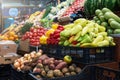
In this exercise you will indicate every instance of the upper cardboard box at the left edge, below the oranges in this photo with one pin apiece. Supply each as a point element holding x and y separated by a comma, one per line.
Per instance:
<point>7,47</point>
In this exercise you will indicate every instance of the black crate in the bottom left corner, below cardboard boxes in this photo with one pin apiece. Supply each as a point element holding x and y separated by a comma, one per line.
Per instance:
<point>5,72</point>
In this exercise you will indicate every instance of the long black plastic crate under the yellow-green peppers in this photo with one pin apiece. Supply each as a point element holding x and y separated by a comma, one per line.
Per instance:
<point>82,55</point>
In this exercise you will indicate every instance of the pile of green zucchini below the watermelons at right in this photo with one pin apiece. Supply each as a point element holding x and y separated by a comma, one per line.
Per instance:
<point>108,19</point>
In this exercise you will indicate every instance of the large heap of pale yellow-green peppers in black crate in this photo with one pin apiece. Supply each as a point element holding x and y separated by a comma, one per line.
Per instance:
<point>85,33</point>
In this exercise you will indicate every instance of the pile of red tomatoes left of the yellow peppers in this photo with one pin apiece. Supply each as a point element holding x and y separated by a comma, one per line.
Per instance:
<point>34,35</point>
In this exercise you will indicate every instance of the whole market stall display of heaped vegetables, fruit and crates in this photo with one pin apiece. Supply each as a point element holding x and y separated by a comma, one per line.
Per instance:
<point>74,40</point>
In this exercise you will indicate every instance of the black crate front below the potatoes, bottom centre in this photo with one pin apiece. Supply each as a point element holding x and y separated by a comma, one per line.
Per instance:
<point>83,75</point>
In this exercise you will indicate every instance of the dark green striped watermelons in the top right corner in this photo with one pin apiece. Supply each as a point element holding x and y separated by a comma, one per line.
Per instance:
<point>91,5</point>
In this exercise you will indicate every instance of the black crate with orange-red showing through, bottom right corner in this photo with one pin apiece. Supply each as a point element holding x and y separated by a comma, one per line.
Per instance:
<point>102,73</point>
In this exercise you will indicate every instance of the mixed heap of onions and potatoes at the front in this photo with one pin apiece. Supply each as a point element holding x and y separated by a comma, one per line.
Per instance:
<point>44,66</point>
